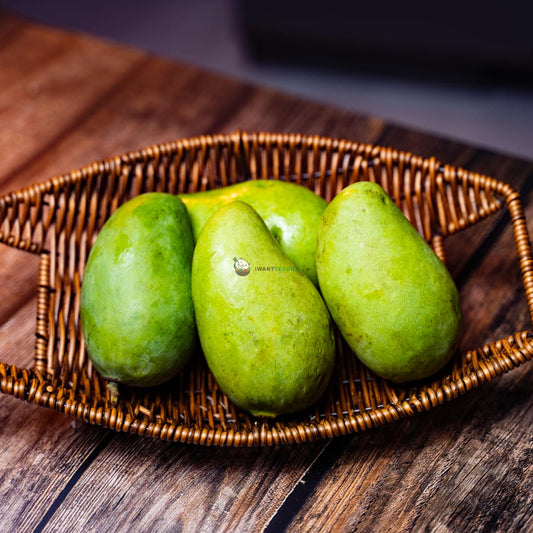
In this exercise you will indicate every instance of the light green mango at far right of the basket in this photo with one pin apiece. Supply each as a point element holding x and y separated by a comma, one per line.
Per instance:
<point>393,299</point>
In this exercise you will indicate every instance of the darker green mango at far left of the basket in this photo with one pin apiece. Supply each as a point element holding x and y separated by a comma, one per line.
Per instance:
<point>136,303</point>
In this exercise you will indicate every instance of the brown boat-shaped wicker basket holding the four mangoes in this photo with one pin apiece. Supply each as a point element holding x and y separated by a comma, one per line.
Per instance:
<point>60,219</point>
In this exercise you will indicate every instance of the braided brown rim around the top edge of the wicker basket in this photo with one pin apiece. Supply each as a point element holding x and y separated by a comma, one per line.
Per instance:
<point>32,385</point>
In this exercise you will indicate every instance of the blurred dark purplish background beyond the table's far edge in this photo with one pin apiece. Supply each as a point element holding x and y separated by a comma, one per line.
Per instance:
<point>455,69</point>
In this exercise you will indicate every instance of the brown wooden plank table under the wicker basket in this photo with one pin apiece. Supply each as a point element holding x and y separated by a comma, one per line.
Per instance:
<point>66,100</point>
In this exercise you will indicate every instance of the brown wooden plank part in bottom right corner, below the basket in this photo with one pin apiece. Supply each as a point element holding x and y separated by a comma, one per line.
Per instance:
<point>462,467</point>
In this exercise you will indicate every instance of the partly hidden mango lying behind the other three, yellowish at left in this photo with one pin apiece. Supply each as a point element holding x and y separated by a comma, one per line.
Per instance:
<point>291,212</point>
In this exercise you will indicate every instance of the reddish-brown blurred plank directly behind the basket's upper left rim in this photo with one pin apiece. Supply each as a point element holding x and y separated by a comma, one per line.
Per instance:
<point>160,103</point>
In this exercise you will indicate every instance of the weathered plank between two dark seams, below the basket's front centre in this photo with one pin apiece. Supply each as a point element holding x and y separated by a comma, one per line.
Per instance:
<point>168,487</point>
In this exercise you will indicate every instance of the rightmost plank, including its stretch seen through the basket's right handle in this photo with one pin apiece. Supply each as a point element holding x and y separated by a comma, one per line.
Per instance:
<point>464,469</point>
